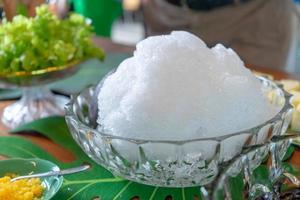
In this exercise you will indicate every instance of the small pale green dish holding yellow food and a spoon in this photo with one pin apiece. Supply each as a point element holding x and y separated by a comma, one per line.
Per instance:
<point>28,166</point>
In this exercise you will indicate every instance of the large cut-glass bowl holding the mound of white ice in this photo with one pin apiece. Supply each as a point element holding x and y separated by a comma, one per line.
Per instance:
<point>181,163</point>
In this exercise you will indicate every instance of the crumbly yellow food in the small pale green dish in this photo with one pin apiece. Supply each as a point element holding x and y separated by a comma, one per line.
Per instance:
<point>24,189</point>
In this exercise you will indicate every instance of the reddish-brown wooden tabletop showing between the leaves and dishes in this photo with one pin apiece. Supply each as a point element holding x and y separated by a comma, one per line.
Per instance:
<point>108,46</point>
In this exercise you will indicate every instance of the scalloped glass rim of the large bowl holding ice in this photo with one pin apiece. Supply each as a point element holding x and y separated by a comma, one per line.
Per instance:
<point>287,105</point>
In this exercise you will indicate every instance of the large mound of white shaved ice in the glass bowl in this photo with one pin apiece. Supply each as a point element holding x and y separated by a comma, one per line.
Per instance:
<point>176,88</point>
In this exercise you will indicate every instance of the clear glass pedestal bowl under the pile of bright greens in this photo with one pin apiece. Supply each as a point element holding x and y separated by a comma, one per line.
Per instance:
<point>37,100</point>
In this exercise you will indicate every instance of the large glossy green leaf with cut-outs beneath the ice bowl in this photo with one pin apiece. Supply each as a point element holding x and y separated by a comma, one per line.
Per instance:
<point>98,182</point>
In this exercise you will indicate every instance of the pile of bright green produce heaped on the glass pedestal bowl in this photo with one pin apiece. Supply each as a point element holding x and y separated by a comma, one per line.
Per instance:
<point>28,44</point>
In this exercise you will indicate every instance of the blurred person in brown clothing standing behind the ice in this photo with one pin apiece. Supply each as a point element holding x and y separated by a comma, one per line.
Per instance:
<point>258,30</point>
